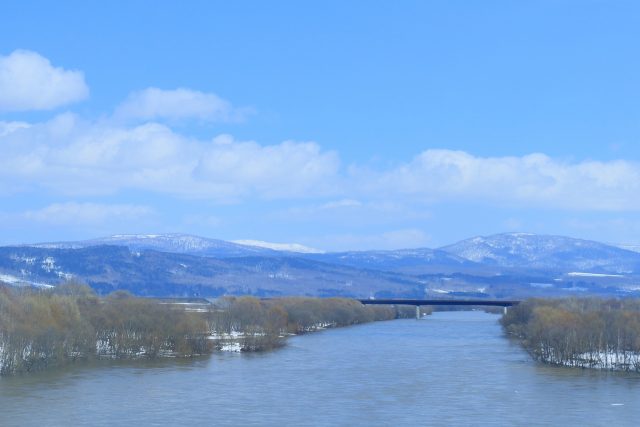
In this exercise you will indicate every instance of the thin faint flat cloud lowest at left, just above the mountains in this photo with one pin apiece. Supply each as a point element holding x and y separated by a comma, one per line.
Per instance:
<point>72,213</point>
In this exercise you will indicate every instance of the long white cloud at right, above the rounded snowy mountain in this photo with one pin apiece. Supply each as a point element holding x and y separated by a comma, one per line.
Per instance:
<point>532,180</point>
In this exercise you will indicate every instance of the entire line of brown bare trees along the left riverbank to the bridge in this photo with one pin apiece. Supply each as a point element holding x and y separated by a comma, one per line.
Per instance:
<point>42,328</point>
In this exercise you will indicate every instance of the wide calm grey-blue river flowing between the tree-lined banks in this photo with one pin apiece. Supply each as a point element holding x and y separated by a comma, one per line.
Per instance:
<point>451,368</point>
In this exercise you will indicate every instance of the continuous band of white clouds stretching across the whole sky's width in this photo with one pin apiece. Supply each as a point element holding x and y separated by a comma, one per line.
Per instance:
<point>70,156</point>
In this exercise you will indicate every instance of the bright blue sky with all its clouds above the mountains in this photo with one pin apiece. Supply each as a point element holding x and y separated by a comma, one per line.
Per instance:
<point>337,125</point>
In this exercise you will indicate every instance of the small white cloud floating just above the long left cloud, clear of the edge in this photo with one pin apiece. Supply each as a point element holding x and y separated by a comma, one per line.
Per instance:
<point>178,104</point>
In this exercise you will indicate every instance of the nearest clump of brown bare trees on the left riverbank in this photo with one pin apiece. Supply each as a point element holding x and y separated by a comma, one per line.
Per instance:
<point>43,328</point>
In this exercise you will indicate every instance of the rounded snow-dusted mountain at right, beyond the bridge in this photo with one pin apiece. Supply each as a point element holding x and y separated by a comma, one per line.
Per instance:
<point>542,252</point>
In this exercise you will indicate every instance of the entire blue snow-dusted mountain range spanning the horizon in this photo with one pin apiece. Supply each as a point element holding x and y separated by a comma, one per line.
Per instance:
<point>502,265</point>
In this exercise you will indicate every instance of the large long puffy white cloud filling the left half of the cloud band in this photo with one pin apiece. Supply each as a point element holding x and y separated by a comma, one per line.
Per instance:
<point>72,157</point>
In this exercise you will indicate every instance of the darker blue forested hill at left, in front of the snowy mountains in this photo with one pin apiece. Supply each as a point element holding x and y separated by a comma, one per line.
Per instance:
<point>108,268</point>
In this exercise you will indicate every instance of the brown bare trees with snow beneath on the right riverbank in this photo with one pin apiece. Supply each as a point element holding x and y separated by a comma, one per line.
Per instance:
<point>580,332</point>
